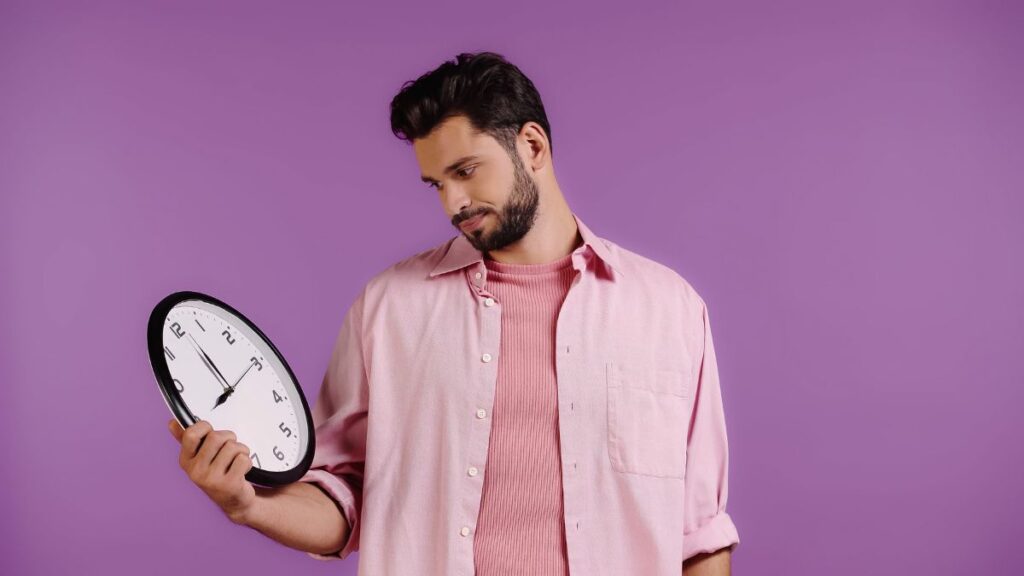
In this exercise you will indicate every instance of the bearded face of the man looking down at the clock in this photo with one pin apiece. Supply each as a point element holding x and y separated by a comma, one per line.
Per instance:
<point>482,180</point>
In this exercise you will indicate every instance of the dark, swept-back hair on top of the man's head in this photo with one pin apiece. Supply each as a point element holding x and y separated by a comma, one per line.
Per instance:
<point>494,95</point>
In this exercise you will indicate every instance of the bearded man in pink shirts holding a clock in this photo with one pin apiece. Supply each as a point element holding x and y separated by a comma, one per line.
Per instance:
<point>526,398</point>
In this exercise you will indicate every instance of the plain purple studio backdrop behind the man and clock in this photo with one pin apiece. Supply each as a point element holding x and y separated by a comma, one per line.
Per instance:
<point>843,186</point>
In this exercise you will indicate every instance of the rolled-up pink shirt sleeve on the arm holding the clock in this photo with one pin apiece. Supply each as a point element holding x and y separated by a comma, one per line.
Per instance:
<point>340,423</point>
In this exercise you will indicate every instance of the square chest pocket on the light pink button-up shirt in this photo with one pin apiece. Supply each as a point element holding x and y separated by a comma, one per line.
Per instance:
<point>648,417</point>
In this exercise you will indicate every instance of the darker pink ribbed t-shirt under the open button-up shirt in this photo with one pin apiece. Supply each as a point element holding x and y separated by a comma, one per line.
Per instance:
<point>521,529</point>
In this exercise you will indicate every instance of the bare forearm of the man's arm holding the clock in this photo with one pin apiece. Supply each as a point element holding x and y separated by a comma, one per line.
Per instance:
<point>300,516</point>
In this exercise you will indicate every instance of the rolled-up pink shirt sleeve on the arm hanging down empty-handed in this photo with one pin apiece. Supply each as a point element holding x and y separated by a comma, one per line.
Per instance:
<point>707,527</point>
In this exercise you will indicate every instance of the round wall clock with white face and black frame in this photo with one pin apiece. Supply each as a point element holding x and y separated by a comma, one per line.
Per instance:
<point>221,368</point>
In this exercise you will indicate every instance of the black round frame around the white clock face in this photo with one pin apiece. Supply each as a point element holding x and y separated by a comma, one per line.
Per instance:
<point>181,410</point>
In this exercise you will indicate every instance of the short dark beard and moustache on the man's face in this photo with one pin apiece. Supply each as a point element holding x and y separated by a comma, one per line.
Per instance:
<point>516,219</point>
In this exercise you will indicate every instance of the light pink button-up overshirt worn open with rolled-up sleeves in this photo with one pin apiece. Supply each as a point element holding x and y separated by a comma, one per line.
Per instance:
<point>405,410</point>
